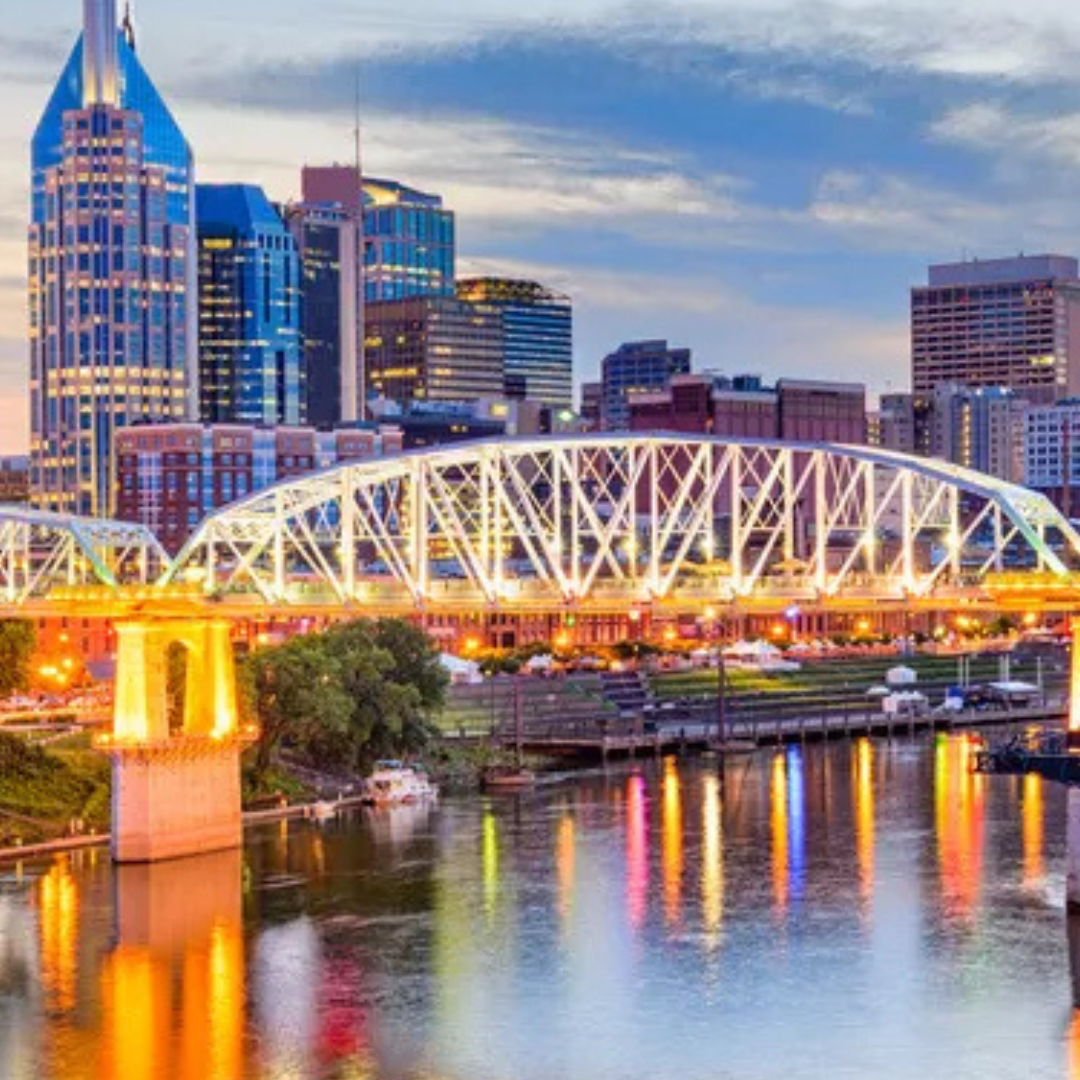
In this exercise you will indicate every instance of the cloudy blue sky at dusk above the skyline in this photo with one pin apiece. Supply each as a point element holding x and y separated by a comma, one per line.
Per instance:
<point>762,181</point>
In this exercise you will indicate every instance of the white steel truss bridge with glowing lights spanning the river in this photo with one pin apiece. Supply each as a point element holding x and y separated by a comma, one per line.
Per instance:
<point>593,523</point>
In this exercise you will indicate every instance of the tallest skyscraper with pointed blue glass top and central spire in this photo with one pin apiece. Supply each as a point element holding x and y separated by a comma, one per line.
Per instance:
<point>112,267</point>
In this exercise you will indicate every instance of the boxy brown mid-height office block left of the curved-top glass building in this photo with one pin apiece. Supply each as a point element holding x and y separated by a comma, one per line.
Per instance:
<point>435,349</point>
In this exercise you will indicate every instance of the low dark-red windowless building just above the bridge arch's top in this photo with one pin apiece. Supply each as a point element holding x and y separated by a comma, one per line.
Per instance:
<point>742,408</point>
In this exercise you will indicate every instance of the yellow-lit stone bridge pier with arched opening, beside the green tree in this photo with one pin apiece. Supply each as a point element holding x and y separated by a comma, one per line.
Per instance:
<point>175,790</point>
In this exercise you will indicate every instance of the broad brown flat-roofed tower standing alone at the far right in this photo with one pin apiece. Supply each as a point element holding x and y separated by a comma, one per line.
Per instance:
<point>1010,323</point>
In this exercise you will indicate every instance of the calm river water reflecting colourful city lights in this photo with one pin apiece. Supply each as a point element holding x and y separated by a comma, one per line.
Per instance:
<point>862,911</point>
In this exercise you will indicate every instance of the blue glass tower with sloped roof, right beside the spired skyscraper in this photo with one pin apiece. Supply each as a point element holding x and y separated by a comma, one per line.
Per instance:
<point>250,349</point>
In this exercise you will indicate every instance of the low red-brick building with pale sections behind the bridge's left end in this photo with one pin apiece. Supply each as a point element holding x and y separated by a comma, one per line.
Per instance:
<point>171,477</point>
